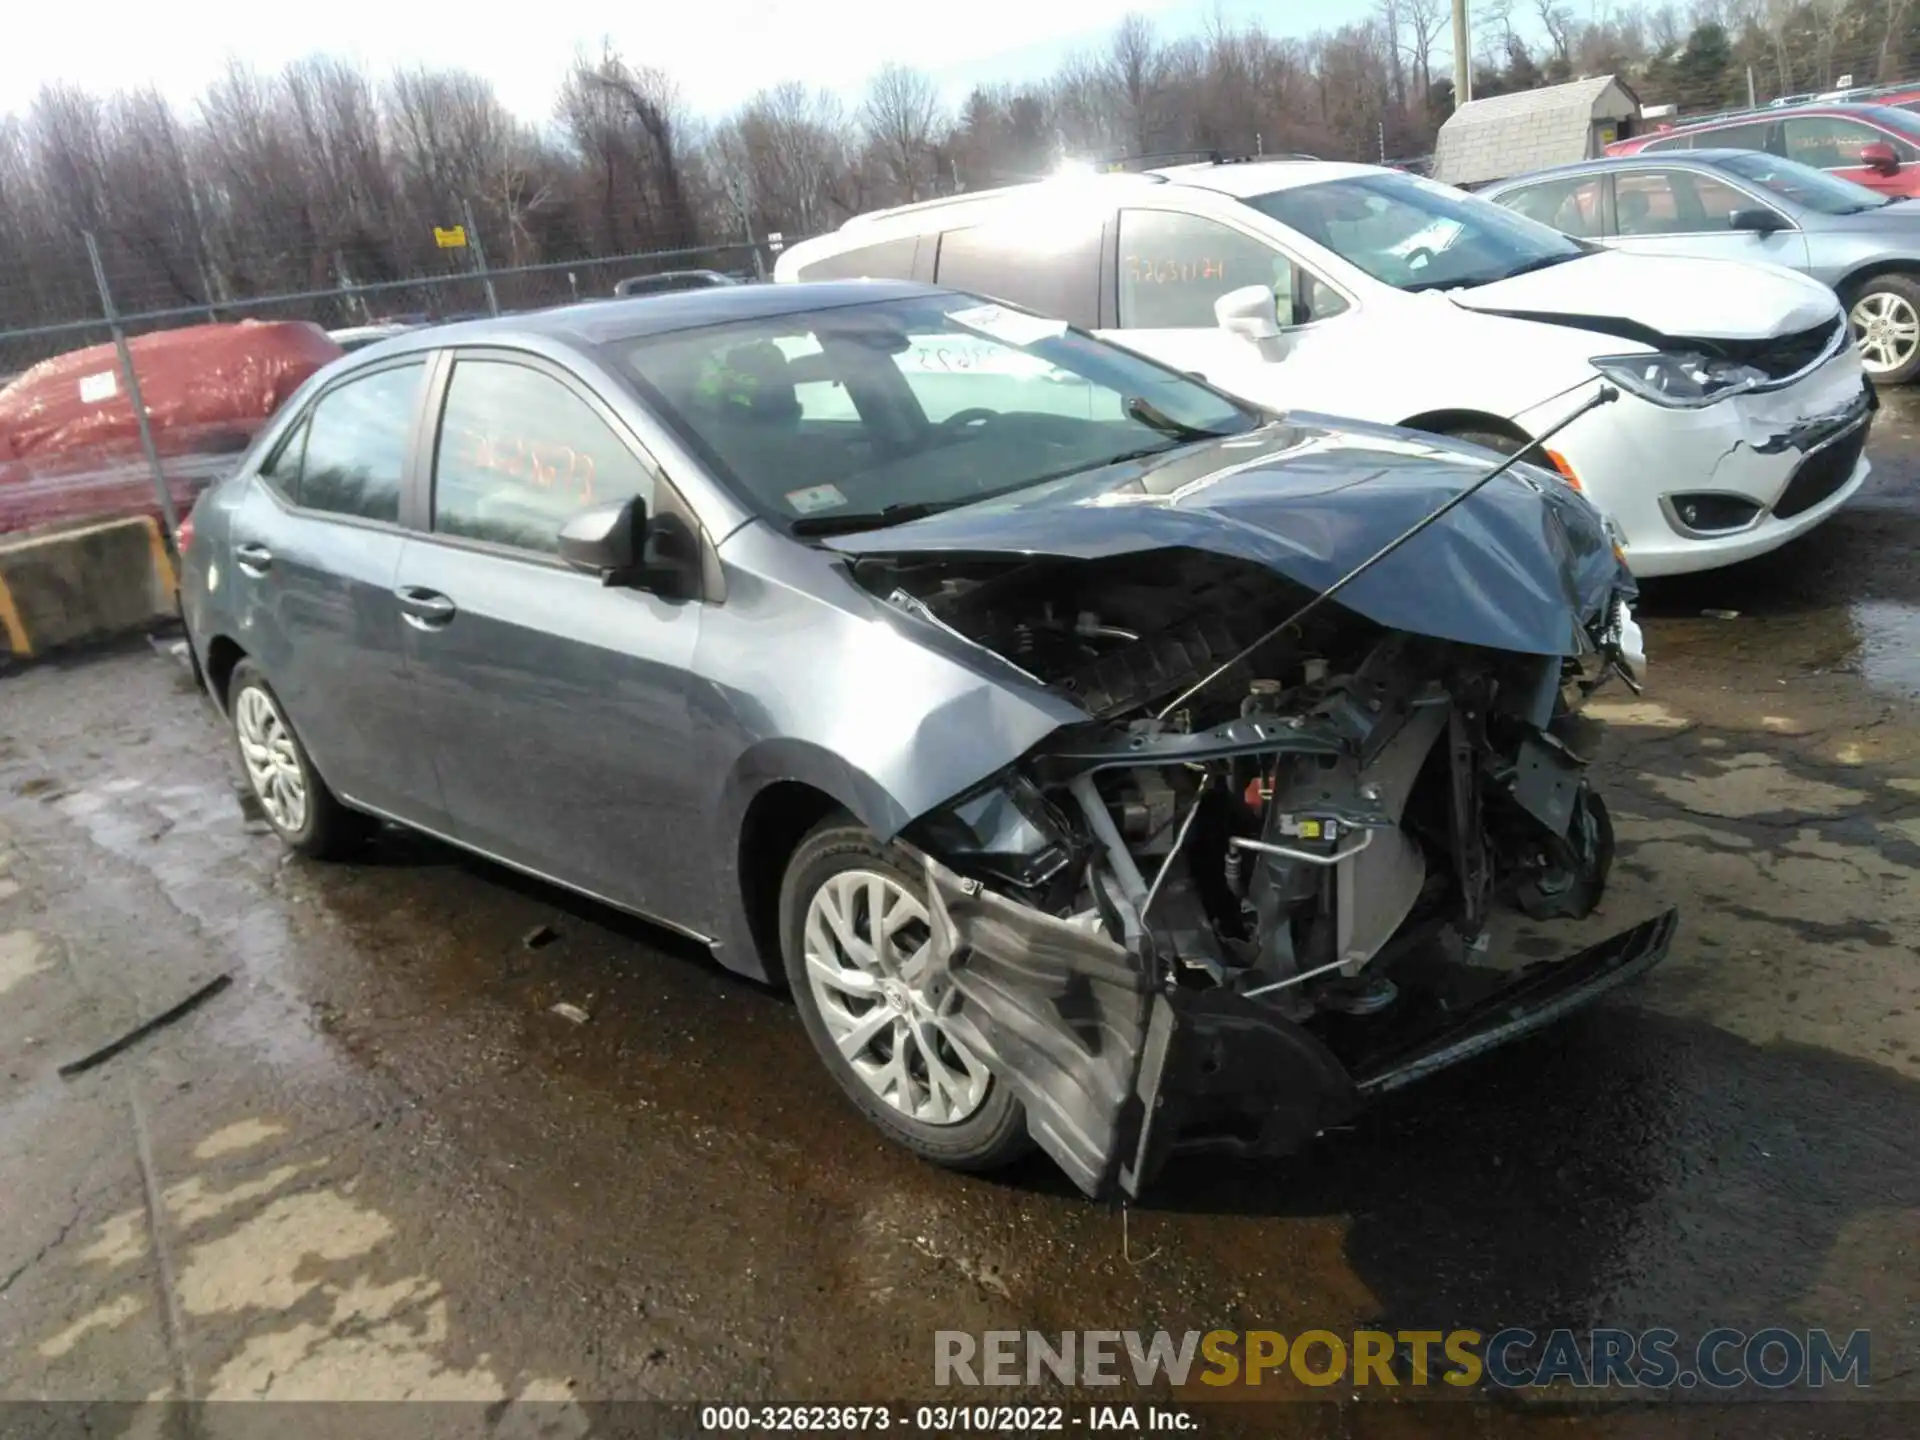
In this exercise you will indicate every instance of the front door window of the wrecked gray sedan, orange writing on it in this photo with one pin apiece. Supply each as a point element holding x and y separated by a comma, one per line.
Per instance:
<point>519,454</point>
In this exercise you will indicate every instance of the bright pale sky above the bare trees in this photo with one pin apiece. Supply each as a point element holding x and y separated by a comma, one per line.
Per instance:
<point>719,53</point>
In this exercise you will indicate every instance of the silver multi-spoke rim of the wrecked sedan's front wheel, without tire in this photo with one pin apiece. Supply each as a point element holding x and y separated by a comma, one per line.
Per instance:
<point>869,961</point>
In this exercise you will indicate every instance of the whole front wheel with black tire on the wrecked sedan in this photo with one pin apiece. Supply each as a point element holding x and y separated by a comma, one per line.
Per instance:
<point>834,871</point>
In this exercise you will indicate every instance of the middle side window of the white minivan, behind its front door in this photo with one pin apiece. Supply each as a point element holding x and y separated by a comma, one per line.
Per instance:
<point>1040,262</point>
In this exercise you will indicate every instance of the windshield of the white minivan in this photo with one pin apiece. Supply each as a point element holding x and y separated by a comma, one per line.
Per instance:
<point>1418,235</point>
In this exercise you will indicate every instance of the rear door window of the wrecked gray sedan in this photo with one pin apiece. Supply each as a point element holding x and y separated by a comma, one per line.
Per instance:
<point>358,444</point>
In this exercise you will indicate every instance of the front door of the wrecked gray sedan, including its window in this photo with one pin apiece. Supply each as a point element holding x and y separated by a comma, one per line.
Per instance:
<point>556,706</point>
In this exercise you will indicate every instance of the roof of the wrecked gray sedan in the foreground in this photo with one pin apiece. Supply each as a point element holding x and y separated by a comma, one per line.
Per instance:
<point>610,322</point>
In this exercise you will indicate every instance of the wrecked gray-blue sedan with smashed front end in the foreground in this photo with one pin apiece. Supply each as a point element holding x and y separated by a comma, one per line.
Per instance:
<point>971,675</point>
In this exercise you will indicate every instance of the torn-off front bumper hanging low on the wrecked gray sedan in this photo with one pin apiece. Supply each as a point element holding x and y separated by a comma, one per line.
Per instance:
<point>1116,1072</point>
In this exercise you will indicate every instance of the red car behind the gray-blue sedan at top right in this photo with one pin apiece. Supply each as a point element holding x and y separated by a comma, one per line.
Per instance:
<point>1877,147</point>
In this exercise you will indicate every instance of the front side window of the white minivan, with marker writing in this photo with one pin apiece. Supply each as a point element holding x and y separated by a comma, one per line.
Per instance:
<point>1174,268</point>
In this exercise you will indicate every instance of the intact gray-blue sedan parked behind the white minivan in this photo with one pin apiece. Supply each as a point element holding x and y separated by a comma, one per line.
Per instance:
<point>1746,204</point>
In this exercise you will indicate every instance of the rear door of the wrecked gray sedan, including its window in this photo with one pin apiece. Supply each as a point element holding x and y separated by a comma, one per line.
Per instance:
<point>316,546</point>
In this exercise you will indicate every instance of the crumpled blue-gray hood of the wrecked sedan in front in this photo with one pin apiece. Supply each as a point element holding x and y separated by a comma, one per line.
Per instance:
<point>1524,565</point>
